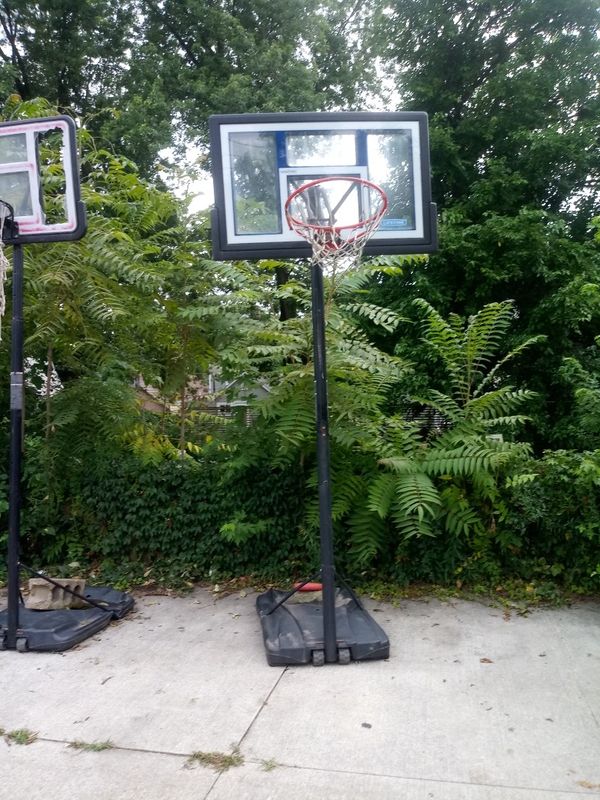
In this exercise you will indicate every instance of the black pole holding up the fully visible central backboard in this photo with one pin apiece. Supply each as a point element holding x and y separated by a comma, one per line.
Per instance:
<point>322,419</point>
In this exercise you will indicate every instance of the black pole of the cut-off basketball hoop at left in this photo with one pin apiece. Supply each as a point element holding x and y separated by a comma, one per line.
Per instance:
<point>16,428</point>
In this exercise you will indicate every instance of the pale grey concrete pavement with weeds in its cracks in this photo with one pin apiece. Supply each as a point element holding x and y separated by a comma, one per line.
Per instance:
<point>473,704</point>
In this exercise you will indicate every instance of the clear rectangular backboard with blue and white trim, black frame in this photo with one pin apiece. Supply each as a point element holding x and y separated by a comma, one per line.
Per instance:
<point>258,160</point>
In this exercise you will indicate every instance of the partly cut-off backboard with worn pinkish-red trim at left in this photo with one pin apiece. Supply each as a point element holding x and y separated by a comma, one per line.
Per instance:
<point>39,180</point>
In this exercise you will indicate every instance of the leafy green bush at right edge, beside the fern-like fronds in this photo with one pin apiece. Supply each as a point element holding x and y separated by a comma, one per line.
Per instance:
<point>546,538</point>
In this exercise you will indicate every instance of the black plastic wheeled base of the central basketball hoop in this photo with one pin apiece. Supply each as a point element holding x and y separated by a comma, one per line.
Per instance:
<point>293,633</point>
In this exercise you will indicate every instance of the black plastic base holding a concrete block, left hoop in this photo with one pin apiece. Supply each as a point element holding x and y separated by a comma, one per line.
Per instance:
<point>55,631</point>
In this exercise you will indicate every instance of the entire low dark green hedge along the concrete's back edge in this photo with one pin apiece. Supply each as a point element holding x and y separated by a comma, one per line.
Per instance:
<point>204,519</point>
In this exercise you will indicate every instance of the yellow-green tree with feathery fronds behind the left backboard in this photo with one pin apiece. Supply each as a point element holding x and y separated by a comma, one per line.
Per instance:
<point>95,318</point>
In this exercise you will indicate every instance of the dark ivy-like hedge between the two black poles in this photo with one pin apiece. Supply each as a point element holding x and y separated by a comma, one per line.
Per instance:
<point>133,514</point>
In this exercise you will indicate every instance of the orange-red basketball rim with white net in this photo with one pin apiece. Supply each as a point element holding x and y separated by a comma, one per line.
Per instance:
<point>336,215</point>
